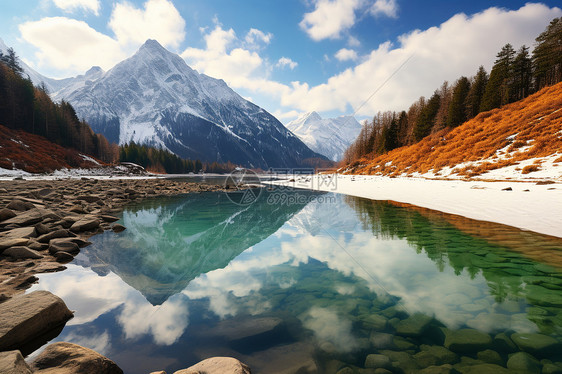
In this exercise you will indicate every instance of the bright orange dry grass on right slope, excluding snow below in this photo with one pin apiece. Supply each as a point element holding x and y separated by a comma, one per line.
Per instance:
<point>537,121</point>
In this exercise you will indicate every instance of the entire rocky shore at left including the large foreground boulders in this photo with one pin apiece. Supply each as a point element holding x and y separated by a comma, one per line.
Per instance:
<point>43,225</point>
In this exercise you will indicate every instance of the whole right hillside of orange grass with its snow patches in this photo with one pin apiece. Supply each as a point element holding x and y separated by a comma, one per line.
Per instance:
<point>522,140</point>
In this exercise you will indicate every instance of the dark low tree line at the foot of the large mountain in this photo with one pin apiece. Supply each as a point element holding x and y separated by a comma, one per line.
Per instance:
<point>164,161</point>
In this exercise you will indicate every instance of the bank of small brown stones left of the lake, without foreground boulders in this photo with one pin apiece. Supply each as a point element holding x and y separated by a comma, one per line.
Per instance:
<point>43,223</point>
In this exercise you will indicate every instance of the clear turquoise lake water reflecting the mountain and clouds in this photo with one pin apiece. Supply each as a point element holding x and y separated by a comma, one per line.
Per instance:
<point>311,283</point>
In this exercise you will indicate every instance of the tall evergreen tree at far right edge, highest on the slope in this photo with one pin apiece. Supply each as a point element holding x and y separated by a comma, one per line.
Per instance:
<point>547,55</point>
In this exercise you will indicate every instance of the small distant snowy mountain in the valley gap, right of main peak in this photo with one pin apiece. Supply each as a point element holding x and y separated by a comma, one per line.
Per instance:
<point>329,137</point>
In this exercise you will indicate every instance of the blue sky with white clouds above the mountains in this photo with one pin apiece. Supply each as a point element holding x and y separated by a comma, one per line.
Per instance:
<point>336,57</point>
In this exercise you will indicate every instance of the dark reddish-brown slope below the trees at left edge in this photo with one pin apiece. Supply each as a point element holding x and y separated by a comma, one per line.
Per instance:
<point>35,154</point>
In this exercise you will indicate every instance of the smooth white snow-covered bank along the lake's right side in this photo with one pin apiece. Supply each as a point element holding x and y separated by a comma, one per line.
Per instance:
<point>527,206</point>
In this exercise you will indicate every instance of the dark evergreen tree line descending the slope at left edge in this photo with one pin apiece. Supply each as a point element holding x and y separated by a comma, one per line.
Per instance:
<point>28,108</point>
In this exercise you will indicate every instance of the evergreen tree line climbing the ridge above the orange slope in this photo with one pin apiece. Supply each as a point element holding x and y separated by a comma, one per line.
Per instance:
<point>514,76</point>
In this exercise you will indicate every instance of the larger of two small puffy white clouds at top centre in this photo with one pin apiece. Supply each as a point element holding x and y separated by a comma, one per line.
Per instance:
<point>330,18</point>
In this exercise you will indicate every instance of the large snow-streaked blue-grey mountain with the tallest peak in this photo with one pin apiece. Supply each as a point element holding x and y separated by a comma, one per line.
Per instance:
<point>155,98</point>
